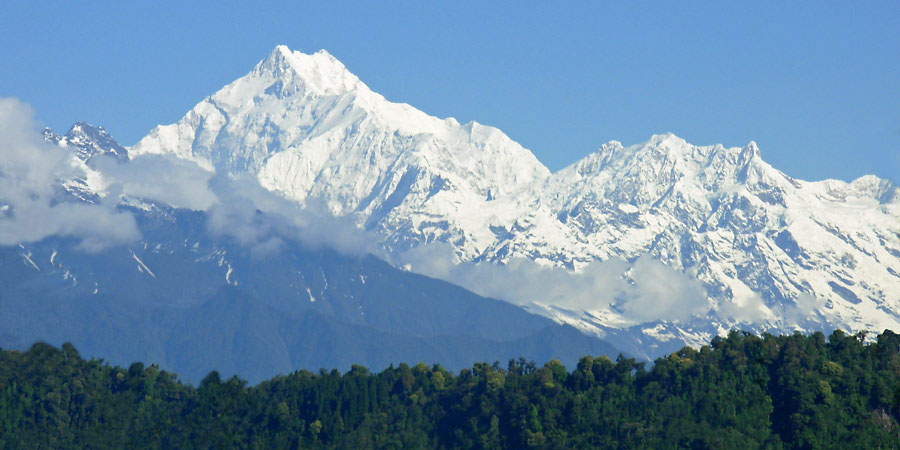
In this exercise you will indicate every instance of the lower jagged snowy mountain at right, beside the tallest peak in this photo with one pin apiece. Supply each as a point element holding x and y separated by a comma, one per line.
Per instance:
<point>772,252</point>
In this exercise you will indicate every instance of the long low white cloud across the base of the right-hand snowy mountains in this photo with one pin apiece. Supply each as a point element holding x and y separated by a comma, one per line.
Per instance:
<point>643,291</point>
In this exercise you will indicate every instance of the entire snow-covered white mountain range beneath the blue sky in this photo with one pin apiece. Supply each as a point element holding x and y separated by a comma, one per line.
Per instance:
<point>771,252</point>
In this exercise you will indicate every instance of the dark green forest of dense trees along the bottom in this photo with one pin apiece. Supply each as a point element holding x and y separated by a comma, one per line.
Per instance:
<point>742,391</point>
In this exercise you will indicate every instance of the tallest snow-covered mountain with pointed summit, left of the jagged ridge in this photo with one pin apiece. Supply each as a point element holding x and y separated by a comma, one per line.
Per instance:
<point>308,128</point>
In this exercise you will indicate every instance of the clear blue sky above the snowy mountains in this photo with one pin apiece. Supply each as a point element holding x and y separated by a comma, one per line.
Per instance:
<point>816,84</point>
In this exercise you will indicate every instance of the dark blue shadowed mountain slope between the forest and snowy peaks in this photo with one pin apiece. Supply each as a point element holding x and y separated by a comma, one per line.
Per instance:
<point>193,302</point>
